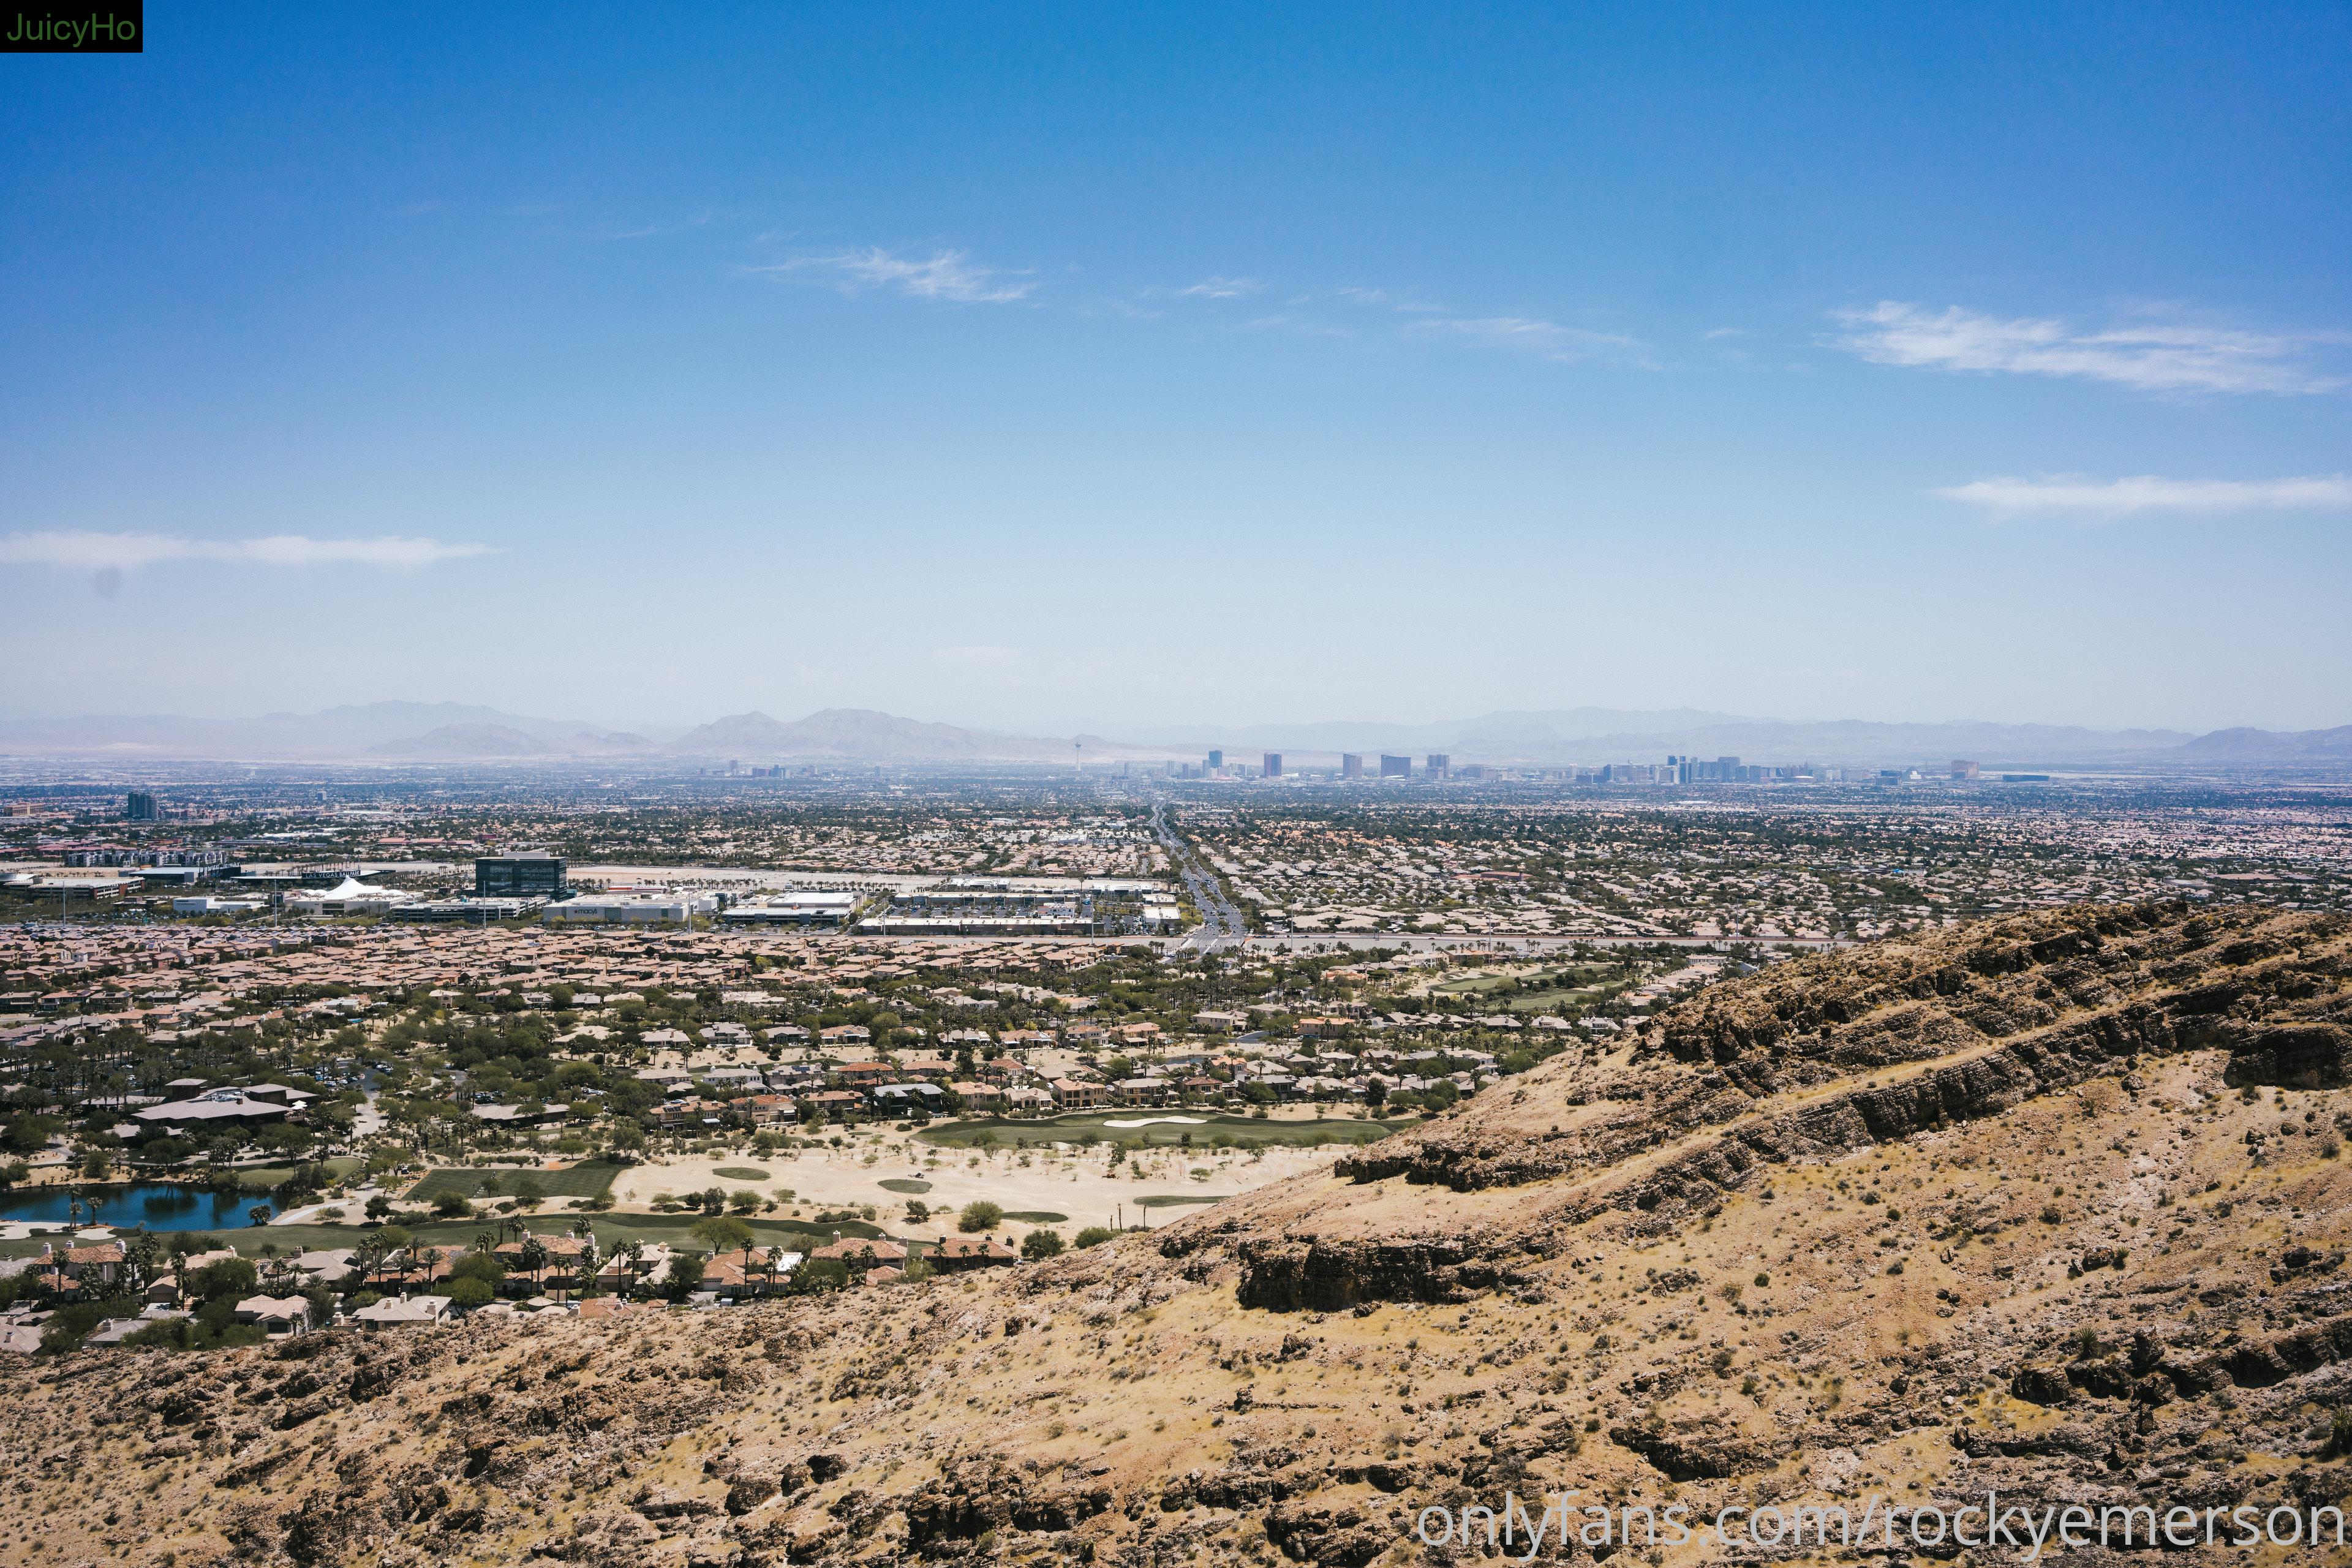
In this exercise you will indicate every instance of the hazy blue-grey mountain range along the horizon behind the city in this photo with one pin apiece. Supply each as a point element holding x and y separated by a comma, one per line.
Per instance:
<point>455,732</point>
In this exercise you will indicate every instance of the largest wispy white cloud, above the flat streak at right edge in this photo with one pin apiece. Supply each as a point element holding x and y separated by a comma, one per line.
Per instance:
<point>2151,356</point>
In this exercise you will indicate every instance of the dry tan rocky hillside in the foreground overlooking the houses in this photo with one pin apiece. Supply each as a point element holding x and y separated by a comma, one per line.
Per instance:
<point>2047,1205</point>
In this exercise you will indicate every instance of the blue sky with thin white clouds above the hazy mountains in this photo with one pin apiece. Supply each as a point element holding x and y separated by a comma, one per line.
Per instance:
<point>1045,368</point>
